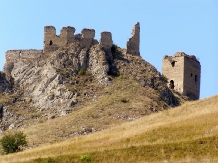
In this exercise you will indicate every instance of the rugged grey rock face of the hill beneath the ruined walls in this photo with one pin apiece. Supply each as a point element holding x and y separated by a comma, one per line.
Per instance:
<point>62,81</point>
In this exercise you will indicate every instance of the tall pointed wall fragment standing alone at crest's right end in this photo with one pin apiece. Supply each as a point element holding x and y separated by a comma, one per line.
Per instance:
<point>134,42</point>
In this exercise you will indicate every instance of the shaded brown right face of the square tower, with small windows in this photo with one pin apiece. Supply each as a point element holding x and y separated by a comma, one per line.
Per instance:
<point>192,72</point>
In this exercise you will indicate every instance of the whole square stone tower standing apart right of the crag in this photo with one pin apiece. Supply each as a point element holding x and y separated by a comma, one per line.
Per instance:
<point>183,72</point>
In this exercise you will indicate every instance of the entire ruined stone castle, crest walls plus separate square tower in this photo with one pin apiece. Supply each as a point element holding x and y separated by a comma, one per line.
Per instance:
<point>182,70</point>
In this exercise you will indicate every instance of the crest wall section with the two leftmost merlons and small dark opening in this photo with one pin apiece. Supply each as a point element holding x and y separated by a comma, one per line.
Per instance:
<point>53,42</point>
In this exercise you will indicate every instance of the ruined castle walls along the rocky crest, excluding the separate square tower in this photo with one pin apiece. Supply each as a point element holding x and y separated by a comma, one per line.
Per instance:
<point>53,42</point>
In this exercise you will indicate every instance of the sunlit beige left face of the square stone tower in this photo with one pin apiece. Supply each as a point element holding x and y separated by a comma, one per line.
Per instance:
<point>175,72</point>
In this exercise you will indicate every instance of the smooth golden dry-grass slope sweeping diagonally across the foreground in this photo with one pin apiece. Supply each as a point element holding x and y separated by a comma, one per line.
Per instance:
<point>188,133</point>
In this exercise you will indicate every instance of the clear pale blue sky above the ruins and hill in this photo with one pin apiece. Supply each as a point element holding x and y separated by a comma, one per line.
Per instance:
<point>167,26</point>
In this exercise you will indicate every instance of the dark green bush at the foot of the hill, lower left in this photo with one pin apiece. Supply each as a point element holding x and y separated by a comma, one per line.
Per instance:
<point>13,142</point>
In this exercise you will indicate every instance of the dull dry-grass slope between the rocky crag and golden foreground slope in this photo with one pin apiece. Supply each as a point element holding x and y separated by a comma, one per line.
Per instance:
<point>113,105</point>
